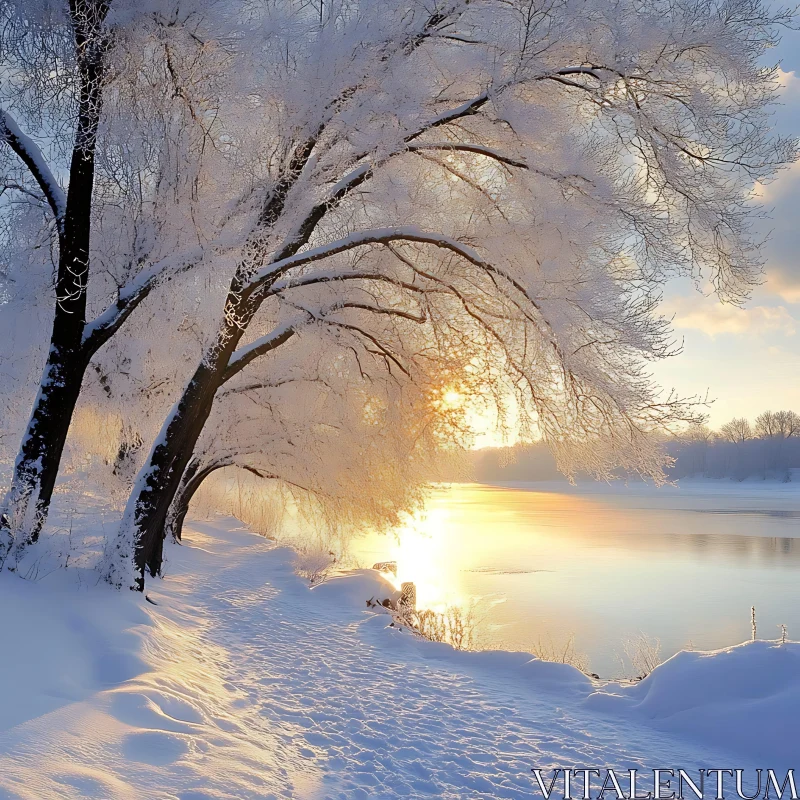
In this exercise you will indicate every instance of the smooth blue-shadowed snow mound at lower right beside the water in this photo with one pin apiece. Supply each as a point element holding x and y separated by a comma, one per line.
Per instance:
<point>745,699</point>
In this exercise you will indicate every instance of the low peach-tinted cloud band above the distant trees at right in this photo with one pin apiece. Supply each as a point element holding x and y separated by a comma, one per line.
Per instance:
<point>714,318</point>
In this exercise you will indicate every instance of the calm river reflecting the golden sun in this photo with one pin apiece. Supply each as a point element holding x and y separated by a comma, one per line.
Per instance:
<point>601,565</point>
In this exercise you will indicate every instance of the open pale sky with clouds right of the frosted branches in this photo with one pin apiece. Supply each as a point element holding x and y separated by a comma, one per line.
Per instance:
<point>747,360</point>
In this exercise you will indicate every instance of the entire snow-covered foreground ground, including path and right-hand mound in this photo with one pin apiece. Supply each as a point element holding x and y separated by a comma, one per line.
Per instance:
<point>244,683</point>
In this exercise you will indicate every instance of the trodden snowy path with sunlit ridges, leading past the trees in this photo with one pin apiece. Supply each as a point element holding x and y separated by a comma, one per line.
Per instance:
<point>243,683</point>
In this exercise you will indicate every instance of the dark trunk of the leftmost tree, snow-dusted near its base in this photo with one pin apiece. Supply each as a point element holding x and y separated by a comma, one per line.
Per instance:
<point>37,464</point>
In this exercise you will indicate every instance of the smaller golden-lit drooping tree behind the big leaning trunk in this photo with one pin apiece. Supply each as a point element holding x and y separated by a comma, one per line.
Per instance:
<point>356,449</point>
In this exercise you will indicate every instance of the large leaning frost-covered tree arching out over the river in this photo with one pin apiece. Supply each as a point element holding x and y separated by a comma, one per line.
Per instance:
<point>503,183</point>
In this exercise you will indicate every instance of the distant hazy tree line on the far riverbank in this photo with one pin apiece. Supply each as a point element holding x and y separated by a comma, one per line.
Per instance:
<point>768,448</point>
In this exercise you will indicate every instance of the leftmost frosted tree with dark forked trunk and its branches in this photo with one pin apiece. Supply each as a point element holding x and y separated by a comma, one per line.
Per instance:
<point>106,109</point>
